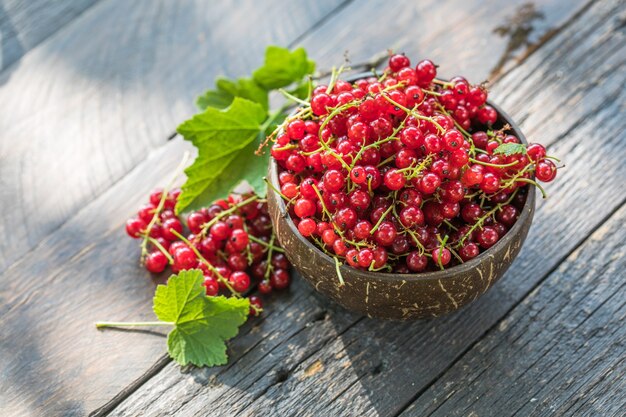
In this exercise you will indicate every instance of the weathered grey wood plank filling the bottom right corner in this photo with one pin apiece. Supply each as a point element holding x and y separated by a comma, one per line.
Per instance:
<point>560,352</point>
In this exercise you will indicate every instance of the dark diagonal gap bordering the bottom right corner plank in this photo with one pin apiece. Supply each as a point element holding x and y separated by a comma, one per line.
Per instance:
<point>506,314</point>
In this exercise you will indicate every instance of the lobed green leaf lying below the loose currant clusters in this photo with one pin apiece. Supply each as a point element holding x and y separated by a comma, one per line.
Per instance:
<point>202,324</point>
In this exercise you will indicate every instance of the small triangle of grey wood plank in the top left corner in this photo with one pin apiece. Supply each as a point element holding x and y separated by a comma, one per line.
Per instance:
<point>24,24</point>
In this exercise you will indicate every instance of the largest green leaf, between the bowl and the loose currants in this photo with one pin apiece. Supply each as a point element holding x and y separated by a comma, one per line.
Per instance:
<point>226,141</point>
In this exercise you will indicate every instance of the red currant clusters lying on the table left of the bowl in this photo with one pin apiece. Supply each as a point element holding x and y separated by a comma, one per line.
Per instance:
<point>231,241</point>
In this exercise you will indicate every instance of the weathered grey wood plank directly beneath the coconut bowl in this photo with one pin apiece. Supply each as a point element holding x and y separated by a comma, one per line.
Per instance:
<point>376,368</point>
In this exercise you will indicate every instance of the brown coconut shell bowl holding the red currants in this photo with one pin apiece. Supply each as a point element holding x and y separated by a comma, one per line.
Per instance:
<point>400,296</point>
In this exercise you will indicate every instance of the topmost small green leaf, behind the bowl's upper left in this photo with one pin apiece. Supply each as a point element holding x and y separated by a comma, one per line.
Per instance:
<point>283,67</point>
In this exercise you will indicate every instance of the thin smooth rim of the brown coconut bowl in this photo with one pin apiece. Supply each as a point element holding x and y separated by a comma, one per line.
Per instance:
<point>525,215</point>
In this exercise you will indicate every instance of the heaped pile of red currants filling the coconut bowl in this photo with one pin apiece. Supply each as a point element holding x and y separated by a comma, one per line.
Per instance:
<point>404,172</point>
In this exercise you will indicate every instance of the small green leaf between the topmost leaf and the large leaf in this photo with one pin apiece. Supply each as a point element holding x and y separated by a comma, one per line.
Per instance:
<point>226,90</point>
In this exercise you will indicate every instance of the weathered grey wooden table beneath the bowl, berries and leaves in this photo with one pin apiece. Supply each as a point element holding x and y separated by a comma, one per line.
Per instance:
<point>90,95</point>
